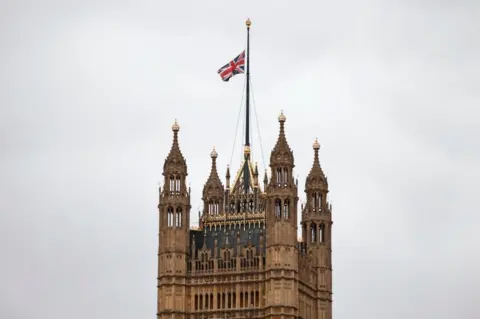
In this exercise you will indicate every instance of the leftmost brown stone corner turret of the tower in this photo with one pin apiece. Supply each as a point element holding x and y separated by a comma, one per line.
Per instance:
<point>174,220</point>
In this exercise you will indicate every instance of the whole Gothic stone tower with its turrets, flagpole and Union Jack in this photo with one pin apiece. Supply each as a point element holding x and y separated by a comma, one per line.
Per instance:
<point>244,259</point>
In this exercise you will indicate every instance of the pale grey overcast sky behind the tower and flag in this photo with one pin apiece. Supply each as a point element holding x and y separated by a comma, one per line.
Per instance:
<point>89,91</point>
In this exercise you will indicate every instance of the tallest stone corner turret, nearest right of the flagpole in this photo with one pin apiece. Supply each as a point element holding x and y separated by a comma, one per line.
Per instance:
<point>281,277</point>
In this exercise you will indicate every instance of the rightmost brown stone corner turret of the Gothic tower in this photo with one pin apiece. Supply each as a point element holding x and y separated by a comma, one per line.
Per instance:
<point>316,233</point>
